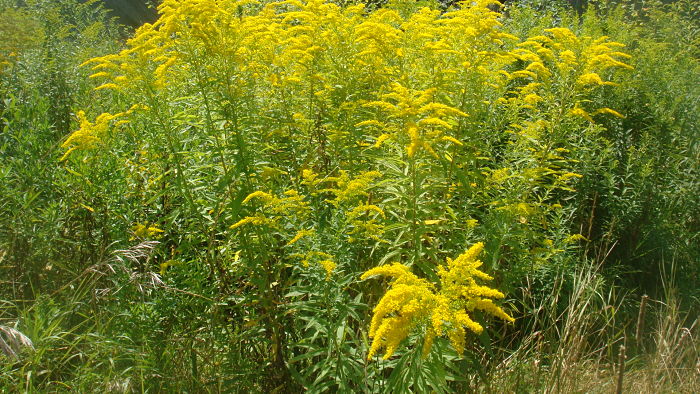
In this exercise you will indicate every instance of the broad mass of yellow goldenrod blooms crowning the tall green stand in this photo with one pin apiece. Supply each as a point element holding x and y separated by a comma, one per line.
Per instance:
<point>421,70</point>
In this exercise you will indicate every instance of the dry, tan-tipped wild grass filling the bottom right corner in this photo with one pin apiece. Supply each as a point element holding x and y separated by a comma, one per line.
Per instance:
<point>581,349</point>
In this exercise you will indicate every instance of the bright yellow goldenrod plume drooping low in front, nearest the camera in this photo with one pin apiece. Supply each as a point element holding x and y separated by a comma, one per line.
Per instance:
<point>411,302</point>
